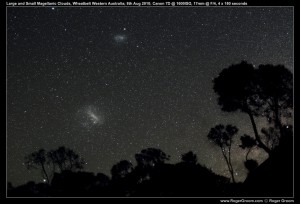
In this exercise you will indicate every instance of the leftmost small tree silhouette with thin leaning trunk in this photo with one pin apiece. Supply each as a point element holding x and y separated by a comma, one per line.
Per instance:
<point>37,160</point>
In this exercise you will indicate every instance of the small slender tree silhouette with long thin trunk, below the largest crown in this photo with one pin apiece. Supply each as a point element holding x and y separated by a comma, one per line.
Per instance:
<point>222,136</point>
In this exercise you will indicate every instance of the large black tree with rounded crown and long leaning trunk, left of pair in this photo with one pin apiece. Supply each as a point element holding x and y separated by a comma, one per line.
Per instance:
<point>237,89</point>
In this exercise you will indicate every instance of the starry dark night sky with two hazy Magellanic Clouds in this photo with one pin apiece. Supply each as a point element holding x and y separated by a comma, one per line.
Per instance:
<point>110,81</point>
